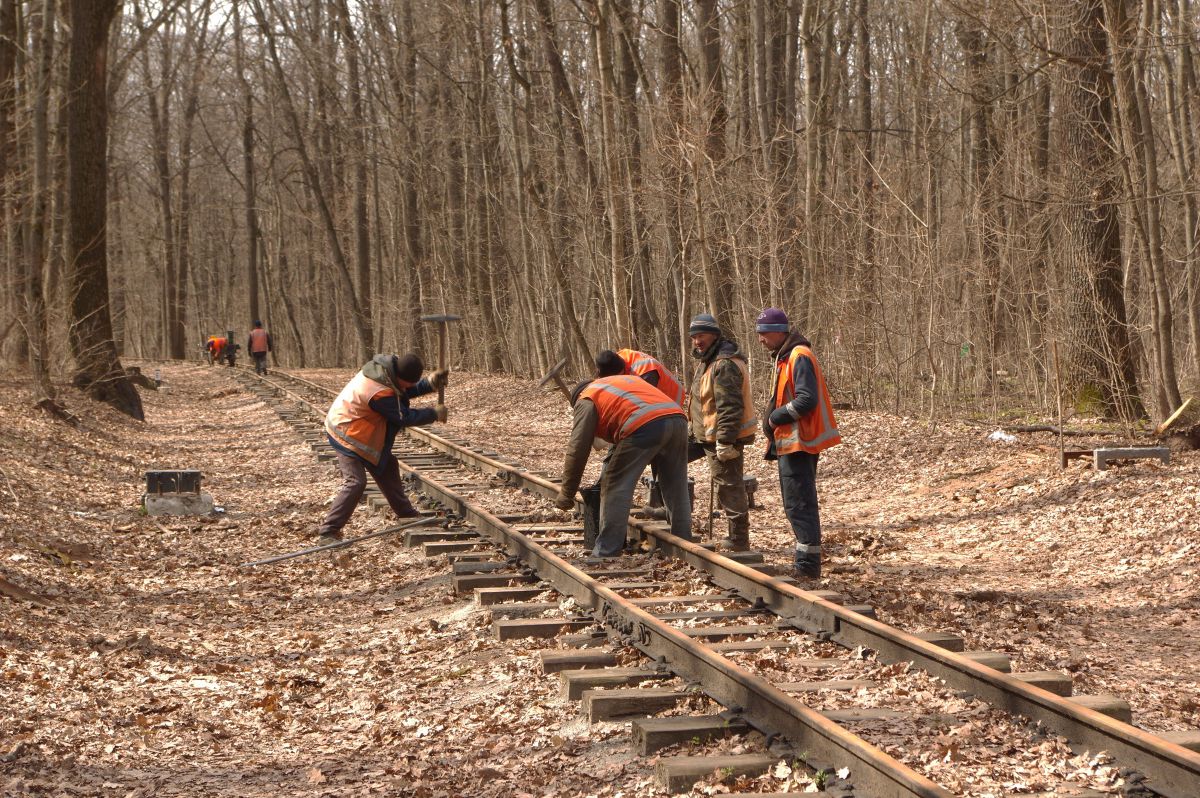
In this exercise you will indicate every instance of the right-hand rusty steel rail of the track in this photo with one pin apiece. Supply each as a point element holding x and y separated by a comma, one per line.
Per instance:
<point>1171,770</point>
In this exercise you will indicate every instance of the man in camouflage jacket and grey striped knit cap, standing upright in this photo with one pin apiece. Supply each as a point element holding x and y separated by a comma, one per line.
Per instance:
<point>723,422</point>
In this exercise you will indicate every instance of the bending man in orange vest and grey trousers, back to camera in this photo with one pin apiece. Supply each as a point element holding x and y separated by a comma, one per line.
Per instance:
<point>647,429</point>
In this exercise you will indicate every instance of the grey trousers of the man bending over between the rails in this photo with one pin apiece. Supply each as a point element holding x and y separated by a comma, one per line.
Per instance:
<point>663,445</point>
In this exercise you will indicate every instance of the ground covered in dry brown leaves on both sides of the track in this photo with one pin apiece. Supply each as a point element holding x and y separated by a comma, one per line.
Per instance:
<point>154,665</point>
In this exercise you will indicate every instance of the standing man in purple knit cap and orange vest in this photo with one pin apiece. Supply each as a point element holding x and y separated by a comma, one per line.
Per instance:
<point>800,425</point>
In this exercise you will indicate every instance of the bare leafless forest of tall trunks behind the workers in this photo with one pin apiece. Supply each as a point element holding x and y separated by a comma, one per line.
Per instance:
<point>962,203</point>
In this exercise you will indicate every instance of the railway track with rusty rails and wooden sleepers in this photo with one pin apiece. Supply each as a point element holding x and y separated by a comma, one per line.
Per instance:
<point>825,685</point>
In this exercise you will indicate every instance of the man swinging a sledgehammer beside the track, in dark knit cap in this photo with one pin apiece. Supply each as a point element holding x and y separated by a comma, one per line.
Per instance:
<point>362,425</point>
